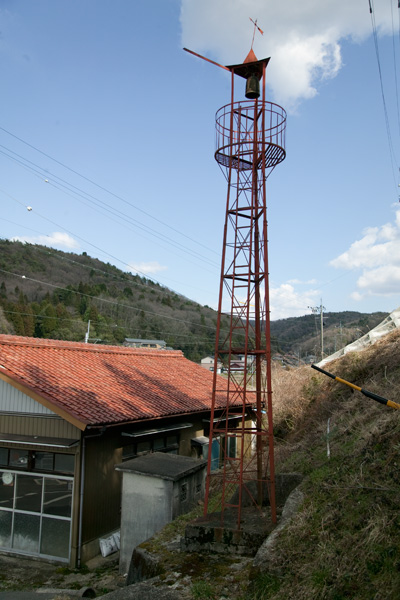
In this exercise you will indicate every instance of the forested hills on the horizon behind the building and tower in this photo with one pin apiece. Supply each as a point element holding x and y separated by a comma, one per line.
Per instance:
<point>53,294</point>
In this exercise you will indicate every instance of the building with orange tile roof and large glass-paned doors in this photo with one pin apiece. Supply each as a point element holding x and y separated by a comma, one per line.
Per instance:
<point>69,413</point>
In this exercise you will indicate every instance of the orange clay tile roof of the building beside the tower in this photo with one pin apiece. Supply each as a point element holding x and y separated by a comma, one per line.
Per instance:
<point>101,385</point>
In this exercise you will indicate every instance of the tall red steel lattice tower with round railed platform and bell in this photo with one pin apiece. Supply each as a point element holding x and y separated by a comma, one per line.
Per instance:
<point>250,142</point>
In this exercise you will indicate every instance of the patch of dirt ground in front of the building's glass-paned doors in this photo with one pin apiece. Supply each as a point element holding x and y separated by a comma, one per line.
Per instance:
<point>22,574</point>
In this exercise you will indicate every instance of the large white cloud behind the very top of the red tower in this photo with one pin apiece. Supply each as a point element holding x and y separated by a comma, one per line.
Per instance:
<point>303,39</point>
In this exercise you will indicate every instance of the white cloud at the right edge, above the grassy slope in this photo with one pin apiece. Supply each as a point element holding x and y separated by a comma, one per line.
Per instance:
<point>377,254</point>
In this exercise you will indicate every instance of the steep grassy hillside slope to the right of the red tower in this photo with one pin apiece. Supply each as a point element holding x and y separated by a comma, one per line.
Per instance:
<point>345,540</point>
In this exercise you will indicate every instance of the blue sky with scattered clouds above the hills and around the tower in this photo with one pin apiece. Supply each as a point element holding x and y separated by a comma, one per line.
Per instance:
<point>107,135</point>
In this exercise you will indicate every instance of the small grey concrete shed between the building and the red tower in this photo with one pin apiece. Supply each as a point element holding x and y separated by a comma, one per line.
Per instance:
<point>156,488</point>
